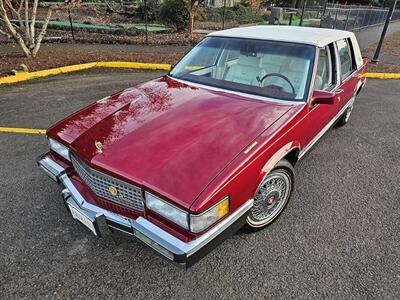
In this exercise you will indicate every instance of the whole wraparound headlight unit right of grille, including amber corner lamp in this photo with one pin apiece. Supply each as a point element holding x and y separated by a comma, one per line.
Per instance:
<point>197,222</point>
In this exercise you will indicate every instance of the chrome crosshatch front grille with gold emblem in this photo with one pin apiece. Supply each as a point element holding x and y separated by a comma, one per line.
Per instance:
<point>108,187</point>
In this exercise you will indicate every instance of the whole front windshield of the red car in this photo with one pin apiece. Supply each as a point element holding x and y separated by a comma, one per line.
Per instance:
<point>268,68</point>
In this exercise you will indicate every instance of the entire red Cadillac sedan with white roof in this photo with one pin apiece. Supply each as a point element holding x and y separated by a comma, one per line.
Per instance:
<point>184,161</point>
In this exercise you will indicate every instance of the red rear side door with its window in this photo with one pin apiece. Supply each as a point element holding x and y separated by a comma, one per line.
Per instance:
<point>348,72</point>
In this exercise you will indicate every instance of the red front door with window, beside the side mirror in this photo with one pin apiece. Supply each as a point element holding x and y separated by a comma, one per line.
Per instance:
<point>326,79</point>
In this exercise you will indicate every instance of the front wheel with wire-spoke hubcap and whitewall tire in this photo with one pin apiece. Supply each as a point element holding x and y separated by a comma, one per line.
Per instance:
<point>271,196</point>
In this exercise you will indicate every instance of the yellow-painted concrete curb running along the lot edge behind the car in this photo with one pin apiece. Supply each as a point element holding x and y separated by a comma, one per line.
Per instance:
<point>23,76</point>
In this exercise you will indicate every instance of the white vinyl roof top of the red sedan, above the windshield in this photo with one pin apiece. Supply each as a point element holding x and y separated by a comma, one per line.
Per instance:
<point>306,35</point>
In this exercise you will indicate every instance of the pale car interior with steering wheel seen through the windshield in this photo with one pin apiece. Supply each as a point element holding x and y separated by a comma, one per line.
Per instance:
<point>284,74</point>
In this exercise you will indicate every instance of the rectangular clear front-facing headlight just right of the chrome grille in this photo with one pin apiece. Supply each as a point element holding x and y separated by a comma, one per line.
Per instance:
<point>167,210</point>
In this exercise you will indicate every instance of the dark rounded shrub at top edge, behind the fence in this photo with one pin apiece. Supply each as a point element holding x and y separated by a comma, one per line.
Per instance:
<point>173,13</point>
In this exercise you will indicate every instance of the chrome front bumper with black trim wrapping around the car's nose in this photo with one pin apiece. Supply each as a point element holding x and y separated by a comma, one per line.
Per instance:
<point>153,236</point>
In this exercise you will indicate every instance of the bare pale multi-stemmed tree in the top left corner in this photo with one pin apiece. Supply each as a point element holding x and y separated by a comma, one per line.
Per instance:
<point>23,31</point>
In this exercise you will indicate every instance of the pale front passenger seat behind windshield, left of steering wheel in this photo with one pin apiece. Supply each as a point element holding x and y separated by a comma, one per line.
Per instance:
<point>245,71</point>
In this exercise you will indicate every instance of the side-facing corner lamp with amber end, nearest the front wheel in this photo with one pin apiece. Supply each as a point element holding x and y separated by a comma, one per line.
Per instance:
<point>200,222</point>
